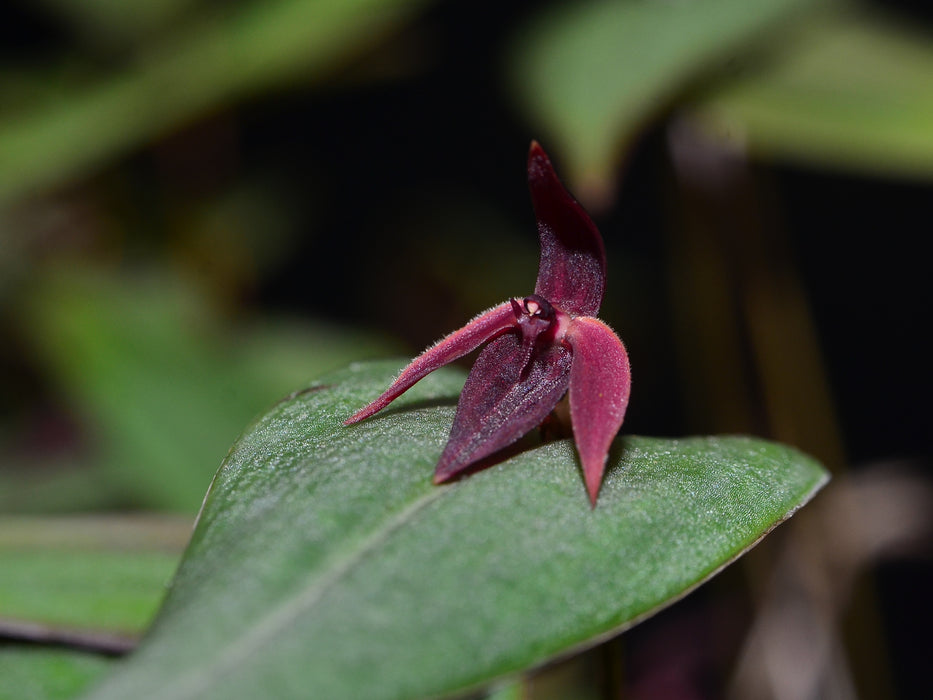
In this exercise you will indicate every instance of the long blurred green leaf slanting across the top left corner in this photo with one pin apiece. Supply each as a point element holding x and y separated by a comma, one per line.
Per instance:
<point>203,66</point>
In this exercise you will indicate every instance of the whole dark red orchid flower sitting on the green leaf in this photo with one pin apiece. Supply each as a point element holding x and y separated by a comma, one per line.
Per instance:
<point>540,348</point>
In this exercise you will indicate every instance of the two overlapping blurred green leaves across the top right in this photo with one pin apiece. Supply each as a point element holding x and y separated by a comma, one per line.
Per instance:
<point>817,80</point>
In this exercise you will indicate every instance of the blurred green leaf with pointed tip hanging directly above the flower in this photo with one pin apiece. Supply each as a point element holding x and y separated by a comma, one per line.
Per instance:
<point>590,74</point>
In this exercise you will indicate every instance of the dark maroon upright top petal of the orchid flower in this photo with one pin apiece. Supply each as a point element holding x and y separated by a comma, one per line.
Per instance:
<point>572,271</point>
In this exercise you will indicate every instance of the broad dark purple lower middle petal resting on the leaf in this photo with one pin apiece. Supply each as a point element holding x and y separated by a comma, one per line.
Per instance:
<point>503,398</point>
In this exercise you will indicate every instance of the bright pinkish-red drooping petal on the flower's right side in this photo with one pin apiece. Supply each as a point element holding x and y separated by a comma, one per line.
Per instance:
<point>600,382</point>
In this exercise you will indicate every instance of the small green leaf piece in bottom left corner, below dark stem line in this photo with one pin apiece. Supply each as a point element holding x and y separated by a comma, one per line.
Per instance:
<point>47,674</point>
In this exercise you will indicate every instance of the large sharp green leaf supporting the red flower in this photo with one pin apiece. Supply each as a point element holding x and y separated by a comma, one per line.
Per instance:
<point>326,564</point>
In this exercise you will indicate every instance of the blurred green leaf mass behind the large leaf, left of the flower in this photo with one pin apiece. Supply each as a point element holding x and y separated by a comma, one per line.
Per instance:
<point>167,388</point>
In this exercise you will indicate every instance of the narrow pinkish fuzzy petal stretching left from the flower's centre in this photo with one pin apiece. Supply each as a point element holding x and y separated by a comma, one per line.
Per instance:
<point>484,327</point>
